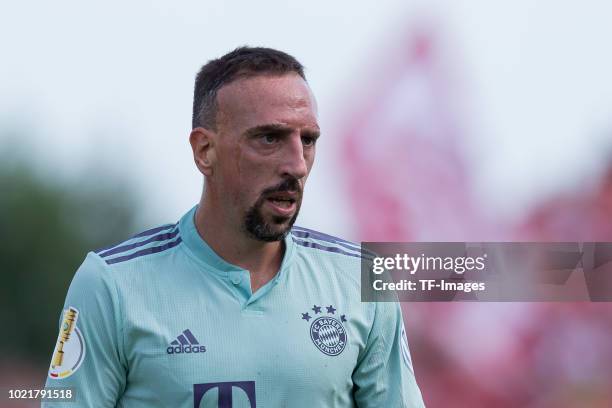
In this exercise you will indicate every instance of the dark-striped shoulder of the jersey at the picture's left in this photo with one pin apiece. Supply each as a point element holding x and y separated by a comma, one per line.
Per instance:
<point>156,240</point>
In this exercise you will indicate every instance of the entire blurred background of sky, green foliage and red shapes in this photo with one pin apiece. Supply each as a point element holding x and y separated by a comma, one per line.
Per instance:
<point>442,120</point>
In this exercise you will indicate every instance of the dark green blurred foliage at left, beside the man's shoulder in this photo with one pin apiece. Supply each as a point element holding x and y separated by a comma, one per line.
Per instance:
<point>46,229</point>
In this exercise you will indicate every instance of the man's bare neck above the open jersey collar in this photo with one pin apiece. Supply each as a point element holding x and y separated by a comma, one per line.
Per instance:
<point>261,259</point>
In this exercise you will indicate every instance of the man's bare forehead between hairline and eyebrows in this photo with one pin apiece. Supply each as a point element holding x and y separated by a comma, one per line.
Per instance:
<point>266,99</point>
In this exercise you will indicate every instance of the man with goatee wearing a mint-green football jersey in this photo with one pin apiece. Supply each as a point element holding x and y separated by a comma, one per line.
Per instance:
<point>233,306</point>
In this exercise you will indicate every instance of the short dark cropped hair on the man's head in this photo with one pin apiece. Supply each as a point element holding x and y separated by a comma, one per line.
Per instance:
<point>243,62</point>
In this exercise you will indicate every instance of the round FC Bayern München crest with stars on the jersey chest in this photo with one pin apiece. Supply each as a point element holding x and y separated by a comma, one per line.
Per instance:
<point>327,332</point>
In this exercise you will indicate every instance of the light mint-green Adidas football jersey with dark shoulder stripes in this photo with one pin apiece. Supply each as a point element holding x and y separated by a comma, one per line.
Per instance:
<point>161,320</point>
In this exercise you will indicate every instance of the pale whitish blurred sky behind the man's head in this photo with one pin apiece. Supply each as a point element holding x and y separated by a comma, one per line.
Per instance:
<point>109,85</point>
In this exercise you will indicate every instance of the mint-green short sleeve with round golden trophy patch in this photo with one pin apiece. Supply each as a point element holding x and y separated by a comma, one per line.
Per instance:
<point>88,356</point>
